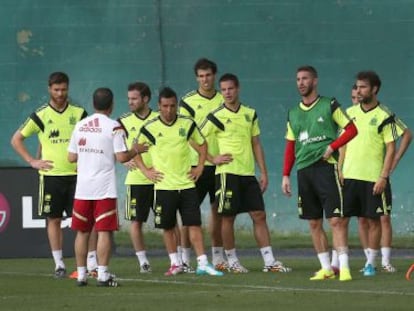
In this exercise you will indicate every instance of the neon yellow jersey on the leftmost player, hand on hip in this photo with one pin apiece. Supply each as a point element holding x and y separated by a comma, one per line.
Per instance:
<point>54,130</point>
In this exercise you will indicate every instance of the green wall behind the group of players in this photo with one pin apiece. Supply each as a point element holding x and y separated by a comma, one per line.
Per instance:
<point>111,43</point>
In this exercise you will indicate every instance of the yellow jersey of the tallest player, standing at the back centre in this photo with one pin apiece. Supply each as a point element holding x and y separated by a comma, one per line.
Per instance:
<point>198,107</point>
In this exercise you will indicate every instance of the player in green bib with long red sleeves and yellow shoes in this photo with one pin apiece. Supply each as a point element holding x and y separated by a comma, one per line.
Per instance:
<point>311,139</point>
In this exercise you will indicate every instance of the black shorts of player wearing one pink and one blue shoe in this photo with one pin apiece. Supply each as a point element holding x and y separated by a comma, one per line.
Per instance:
<point>168,202</point>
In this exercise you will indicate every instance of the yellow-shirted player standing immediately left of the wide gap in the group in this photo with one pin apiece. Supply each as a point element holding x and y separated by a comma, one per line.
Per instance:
<point>235,128</point>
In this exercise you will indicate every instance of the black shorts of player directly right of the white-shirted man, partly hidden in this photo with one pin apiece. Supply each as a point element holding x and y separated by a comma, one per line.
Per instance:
<point>139,201</point>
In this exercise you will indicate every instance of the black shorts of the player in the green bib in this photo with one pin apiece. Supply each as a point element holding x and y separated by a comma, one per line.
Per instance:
<point>319,191</point>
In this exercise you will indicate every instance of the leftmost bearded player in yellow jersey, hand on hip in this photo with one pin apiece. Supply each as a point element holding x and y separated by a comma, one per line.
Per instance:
<point>53,123</point>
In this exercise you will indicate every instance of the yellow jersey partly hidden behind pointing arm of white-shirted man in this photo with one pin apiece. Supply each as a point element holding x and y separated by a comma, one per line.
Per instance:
<point>132,124</point>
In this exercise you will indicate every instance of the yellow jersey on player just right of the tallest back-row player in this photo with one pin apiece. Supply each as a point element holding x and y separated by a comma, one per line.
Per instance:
<point>233,132</point>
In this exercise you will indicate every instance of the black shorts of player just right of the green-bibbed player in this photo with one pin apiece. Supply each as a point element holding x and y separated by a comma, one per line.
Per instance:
<point>359,200</point>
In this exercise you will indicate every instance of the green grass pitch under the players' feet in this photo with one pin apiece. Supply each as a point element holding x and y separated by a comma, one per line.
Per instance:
<point>28,284</point>
